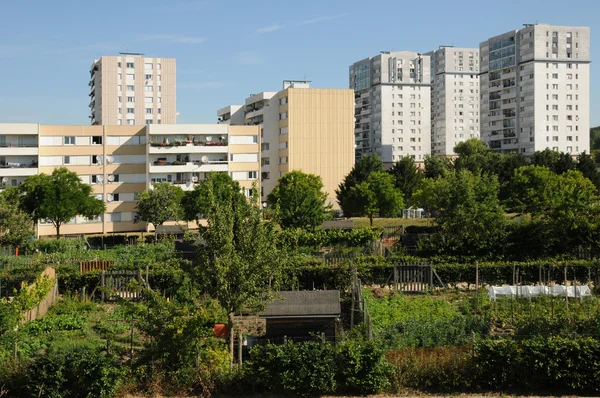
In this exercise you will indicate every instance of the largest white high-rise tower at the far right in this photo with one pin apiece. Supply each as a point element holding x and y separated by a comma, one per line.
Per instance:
<point>535,90</point>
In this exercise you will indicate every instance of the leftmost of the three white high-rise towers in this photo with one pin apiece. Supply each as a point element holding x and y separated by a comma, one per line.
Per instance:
<point>392,105</point>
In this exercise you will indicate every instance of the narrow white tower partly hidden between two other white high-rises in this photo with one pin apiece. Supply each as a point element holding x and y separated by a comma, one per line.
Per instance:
<point>454,97</point>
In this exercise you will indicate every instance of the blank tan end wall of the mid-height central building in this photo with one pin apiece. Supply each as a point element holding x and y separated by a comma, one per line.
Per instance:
<point>320,134</point>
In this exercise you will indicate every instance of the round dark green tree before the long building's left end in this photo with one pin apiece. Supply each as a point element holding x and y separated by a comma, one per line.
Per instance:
<point>59,197</point>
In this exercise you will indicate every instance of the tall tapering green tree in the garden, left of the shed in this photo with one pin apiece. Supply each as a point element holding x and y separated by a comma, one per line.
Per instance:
<point>239,264</point>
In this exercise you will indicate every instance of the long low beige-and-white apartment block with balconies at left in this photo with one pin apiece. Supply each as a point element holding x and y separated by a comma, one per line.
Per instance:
<point>119,162</point>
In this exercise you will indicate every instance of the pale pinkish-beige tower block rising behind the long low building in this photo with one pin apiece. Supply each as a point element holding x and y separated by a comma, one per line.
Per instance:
<point>132,89</point>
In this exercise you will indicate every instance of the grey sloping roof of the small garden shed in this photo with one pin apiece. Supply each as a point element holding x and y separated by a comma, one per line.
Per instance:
<point>304,304</point>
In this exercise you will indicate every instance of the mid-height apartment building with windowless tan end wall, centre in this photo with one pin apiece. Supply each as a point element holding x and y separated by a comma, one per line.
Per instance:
<point>302,128</point>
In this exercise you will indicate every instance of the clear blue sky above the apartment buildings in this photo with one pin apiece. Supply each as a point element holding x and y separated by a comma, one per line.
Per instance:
<point>227,50</point>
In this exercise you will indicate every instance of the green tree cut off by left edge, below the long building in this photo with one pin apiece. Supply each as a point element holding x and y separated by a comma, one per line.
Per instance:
<point>15,225</point>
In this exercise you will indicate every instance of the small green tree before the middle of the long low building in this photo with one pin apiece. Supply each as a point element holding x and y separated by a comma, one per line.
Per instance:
<point>160,204</point>
